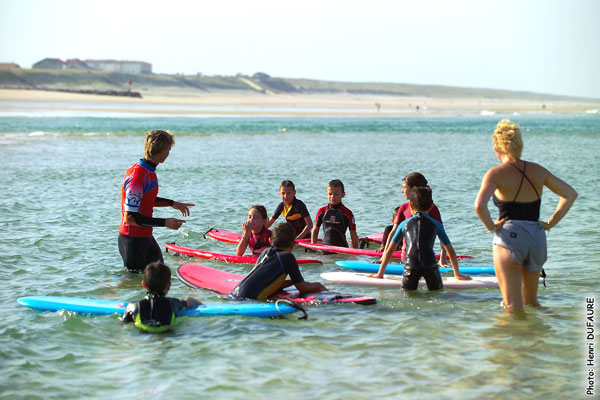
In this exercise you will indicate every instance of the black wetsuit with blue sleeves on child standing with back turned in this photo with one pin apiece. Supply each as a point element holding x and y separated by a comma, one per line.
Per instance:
<point>419,233</point>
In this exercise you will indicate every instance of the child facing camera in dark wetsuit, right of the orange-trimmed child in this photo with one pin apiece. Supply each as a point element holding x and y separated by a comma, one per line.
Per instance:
<point>336,218</point>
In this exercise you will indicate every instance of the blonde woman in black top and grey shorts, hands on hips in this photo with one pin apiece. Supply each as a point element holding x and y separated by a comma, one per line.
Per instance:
<point>519,245</point>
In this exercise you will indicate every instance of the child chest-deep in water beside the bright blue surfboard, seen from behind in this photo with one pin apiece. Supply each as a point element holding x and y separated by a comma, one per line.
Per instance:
<point>156,312</point>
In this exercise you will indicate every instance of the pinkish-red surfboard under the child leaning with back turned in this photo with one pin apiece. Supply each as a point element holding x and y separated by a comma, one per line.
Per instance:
<point>223,282</point>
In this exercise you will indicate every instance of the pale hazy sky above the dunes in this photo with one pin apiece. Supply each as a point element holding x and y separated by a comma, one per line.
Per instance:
<point>543,46</point>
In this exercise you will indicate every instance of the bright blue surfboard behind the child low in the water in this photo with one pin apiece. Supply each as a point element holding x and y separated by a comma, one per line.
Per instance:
<point>99,307</point>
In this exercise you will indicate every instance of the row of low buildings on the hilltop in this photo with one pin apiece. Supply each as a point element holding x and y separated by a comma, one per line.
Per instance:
<point>127,67</point>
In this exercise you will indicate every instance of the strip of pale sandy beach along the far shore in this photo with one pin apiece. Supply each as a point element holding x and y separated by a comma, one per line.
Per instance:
<point>248,103</point>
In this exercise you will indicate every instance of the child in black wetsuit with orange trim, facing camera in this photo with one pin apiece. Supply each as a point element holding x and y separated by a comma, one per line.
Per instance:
<point>293,210</point>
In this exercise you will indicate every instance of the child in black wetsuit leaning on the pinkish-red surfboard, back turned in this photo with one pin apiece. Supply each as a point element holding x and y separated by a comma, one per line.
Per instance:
<point>272,268</point>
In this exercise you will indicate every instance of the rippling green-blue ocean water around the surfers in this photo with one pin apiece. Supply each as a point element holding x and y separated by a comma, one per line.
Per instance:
<point>59,216</point>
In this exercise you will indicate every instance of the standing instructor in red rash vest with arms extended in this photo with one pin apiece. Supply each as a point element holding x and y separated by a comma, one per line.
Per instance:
<point>139,196</point>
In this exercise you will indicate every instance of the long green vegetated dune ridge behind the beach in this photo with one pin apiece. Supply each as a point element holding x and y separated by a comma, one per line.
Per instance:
<point>75,79</point>
